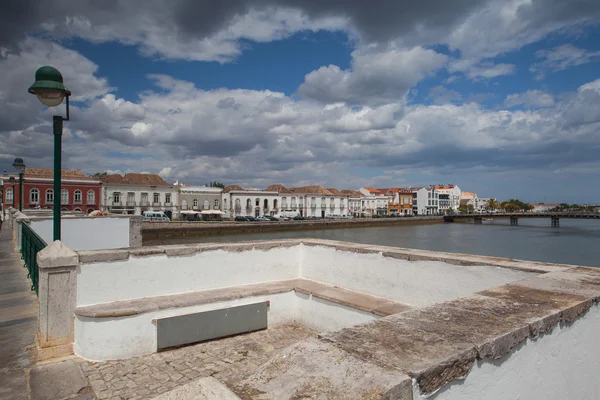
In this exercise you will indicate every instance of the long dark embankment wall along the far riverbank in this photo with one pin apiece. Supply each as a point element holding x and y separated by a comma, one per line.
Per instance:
<point>154,231</point>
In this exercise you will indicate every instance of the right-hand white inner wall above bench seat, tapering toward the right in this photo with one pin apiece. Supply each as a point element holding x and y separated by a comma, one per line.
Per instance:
<point>416,283</point>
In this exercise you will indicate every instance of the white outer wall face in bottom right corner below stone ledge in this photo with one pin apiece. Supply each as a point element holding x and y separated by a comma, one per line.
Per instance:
<point>557,366</point>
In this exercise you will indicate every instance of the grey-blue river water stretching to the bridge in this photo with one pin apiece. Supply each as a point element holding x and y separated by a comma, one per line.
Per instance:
<point>575,242</point>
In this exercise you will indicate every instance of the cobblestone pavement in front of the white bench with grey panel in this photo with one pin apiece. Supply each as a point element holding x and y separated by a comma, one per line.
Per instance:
<point>229,360</point>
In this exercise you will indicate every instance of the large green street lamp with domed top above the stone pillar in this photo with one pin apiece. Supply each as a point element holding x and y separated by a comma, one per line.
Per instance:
<point>50,91</point>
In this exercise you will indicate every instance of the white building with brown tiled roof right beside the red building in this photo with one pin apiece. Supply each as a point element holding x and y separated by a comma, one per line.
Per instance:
<point>136,193</point>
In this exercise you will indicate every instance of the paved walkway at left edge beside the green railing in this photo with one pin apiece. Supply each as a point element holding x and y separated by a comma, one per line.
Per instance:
<point>18,320</point>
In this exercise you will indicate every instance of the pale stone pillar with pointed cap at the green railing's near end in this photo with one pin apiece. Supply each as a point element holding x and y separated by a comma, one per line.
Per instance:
<point>57,296</point>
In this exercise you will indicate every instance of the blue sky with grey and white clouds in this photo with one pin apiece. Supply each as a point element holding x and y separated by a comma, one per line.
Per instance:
<point>501,97</point>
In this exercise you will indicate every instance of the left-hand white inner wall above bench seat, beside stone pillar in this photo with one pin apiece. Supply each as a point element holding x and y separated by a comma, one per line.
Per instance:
<point>162,275</point>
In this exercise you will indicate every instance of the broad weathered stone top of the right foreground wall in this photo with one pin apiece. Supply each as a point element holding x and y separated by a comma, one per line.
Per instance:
<point>438,344</point>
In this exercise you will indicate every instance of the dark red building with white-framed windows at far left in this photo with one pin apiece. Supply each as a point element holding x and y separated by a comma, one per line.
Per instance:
<point>79,193</point>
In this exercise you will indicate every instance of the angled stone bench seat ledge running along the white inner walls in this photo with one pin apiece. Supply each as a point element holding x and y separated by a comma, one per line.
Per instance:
<point>364,302</point>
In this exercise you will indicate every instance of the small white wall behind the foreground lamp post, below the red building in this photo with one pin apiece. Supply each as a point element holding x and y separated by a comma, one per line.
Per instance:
<point>87,233</point>
